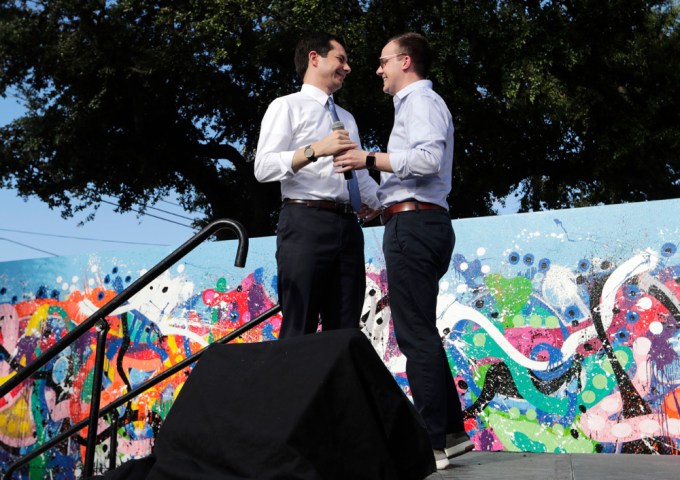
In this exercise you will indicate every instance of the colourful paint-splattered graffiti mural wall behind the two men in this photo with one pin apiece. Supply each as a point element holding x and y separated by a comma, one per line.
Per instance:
<point>561,330</point>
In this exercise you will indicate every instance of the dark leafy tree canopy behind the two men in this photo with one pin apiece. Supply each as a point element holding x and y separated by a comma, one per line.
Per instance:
<point>567,102</point>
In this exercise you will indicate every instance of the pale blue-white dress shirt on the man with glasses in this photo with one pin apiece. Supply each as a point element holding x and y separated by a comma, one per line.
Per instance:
<point>420,148</point>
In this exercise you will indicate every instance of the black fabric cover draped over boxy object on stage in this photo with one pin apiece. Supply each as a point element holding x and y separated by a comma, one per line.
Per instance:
<point>316,407</point>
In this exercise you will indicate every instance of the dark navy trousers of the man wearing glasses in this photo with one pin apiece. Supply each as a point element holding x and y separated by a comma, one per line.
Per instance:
<point>417,246</point>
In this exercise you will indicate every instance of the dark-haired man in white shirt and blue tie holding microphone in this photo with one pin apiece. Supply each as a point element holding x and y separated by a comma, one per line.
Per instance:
<point>320,245</point>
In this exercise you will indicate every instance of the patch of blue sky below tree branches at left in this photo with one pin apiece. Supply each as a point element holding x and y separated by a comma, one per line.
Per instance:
<point>29,229</point>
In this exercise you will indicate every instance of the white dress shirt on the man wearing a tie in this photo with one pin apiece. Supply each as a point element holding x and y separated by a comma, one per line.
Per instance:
<point>295,121</point>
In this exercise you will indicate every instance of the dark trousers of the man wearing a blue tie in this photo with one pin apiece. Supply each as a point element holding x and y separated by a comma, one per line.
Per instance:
<point>321,271</point>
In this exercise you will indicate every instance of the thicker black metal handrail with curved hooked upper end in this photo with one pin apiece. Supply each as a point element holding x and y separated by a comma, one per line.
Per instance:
<point>99,317</point>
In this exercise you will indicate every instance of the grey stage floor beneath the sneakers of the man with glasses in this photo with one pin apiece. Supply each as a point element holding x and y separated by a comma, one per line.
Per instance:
<point>544,466</point>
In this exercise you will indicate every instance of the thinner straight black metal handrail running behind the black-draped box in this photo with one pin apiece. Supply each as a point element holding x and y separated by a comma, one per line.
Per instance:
<point>141,388</point>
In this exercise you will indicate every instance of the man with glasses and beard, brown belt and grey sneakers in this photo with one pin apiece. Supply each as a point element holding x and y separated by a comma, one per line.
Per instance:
<point>418,241</point>
